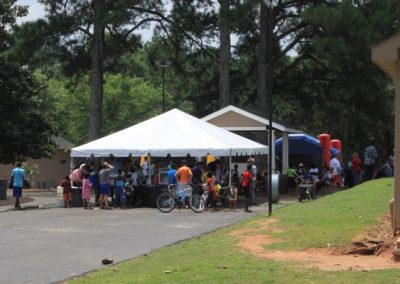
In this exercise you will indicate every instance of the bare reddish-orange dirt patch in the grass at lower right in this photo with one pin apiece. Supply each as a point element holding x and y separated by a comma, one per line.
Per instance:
<point>324,258</point>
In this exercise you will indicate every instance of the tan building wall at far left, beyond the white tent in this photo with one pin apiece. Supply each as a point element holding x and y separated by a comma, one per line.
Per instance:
<point>51,171</point>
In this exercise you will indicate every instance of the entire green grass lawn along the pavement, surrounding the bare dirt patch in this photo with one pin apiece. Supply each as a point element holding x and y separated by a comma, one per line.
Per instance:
<point>215,258</point>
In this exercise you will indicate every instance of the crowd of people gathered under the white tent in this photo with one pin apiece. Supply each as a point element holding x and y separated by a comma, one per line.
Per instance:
<point>211,177</point>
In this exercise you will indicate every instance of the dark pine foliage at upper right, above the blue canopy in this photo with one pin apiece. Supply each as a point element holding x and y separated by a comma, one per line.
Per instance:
<point>337,83</point>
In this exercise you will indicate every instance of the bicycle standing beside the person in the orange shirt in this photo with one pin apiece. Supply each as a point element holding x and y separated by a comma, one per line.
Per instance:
<point>167,201</point>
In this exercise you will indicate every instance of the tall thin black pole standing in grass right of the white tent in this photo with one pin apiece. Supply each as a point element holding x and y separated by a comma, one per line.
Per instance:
<point>270,5</point>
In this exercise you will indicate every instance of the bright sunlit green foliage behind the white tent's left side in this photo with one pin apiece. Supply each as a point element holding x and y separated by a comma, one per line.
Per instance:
<point>127,101</point>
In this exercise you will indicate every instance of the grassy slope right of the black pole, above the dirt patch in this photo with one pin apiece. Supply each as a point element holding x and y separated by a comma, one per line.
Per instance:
<point>334,219</point>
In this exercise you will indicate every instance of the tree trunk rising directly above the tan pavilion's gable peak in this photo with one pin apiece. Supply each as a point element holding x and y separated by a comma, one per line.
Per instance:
<point>224,54</point>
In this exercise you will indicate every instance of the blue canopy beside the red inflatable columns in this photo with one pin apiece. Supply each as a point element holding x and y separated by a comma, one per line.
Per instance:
<point>304,149</point>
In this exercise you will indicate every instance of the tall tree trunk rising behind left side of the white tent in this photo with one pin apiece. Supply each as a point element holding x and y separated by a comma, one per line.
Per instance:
<point>97,71</point>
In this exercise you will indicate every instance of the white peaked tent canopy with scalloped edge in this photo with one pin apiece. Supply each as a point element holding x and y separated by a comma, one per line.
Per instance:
<point>175,133</point>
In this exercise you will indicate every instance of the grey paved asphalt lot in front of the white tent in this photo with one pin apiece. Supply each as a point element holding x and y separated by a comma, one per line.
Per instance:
<point>48,245</point>
